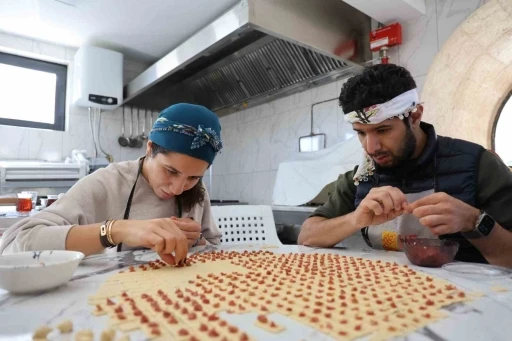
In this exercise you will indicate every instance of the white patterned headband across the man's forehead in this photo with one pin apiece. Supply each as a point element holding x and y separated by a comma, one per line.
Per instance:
<point>400,106</point>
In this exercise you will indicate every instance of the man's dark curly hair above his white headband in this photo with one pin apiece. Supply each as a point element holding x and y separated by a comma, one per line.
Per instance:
<point>375,85</point>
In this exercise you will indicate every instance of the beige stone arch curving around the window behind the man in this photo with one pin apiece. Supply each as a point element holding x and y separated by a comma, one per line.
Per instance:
<point>471,76</point>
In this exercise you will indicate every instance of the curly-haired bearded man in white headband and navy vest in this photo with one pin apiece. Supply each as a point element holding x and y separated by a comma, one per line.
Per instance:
<point>412,182</point>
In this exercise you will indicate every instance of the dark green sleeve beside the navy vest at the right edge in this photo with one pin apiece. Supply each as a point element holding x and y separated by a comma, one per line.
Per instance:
<point>495,189</point>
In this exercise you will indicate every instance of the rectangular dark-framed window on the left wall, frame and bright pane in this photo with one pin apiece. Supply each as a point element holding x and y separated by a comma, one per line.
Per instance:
<point>32,93</point>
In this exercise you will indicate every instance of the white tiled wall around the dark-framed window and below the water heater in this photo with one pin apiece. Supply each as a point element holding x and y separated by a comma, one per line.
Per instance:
<point>27,143</point>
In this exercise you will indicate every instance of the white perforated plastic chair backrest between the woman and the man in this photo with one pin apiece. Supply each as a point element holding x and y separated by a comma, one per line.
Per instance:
<point>246,224</point>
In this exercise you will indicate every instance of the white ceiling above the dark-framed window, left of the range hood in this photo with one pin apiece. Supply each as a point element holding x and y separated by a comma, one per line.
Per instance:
<point>143,30</point>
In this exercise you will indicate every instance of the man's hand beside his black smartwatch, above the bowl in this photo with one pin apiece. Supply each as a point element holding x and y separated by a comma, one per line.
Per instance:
<point>443,214</point>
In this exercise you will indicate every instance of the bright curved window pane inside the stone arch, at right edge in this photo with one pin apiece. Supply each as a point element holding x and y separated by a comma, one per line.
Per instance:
<point>502,135</point>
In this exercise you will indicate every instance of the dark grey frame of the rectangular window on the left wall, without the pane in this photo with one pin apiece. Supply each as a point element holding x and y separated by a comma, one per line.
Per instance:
<point>60,70</point>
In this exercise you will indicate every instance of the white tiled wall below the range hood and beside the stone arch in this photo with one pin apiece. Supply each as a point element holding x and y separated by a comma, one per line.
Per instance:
<point>257,139</point>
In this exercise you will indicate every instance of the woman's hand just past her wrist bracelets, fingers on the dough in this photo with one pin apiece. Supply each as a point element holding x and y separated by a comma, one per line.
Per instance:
<point>161,235</point>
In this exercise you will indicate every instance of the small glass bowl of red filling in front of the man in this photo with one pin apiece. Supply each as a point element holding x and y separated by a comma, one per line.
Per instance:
<point>432,253</point>
